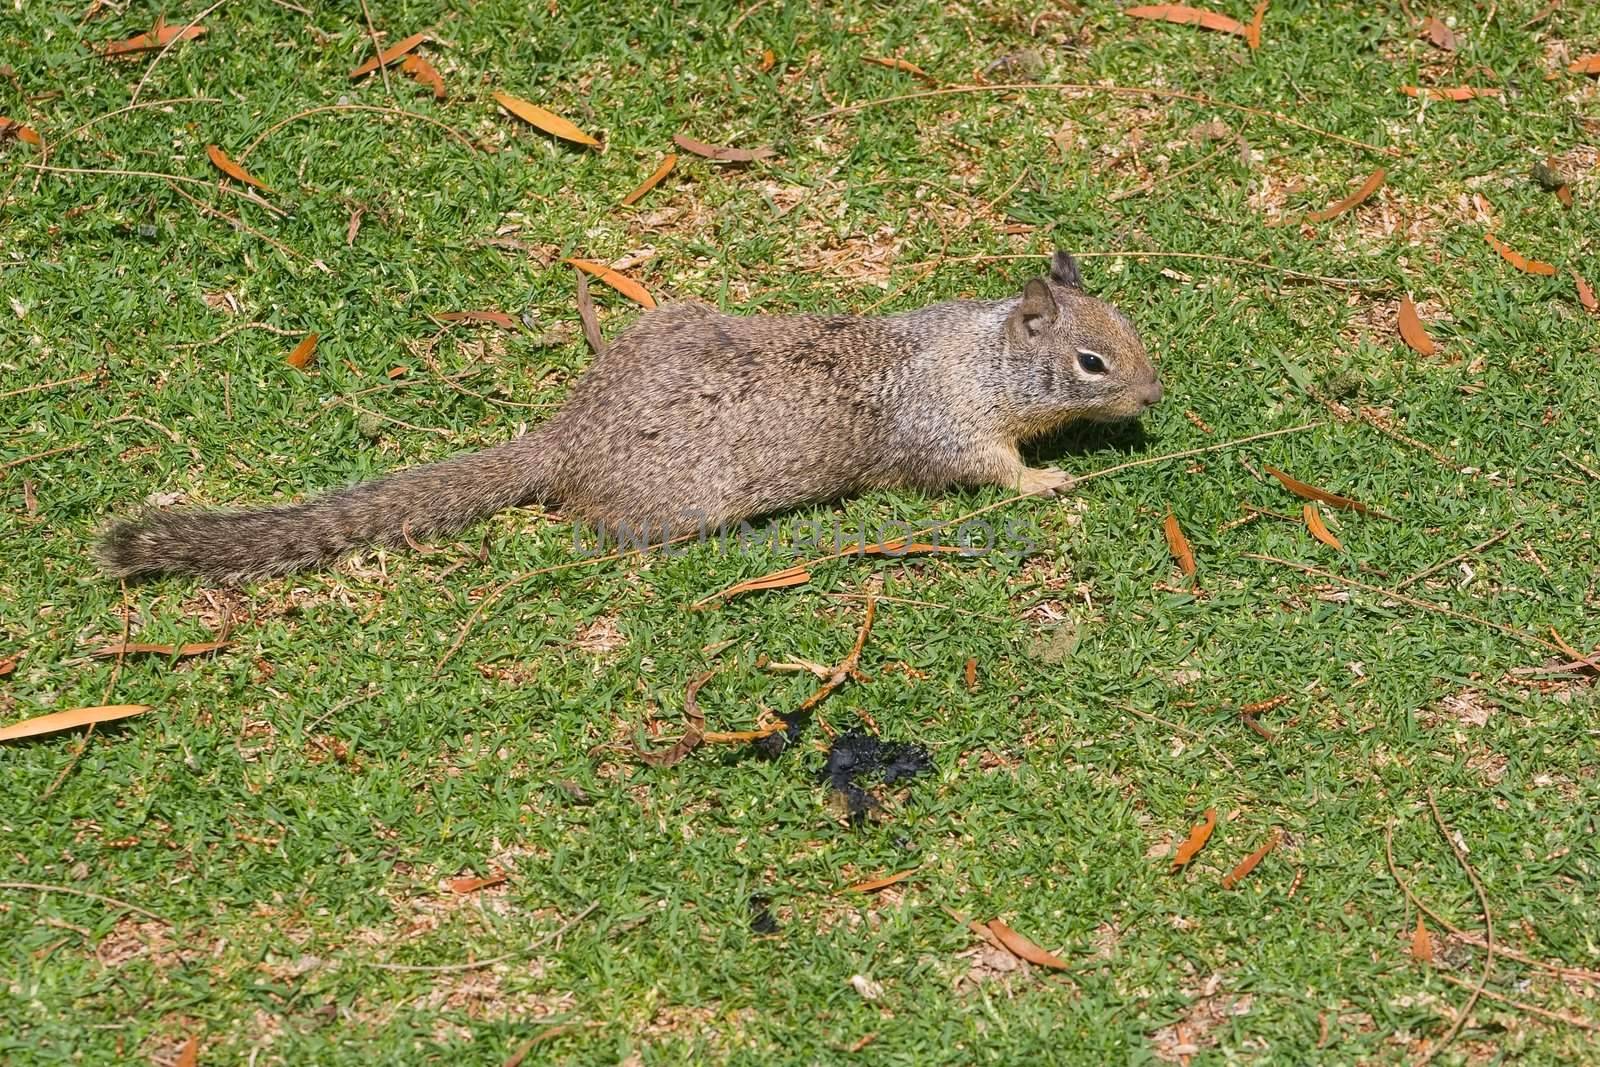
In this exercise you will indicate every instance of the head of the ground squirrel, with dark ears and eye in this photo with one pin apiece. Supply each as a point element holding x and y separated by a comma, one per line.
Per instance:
<point>1097,367</point>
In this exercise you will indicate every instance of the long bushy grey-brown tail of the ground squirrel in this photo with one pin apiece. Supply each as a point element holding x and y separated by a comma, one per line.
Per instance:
<point>417,505</point>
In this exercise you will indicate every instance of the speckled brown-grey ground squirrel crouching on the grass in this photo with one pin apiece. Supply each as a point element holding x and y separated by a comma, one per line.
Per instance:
<point>694,420</point>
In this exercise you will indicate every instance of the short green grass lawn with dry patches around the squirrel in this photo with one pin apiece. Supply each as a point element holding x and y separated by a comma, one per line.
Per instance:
<point>294,805</point>
